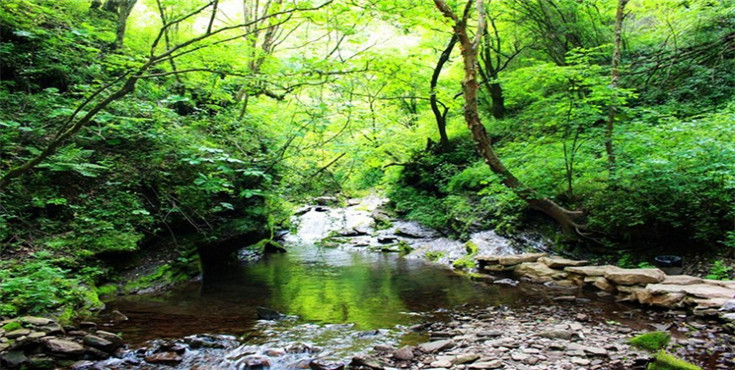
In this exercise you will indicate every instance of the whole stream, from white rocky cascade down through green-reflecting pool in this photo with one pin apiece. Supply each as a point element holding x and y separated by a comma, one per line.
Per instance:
<point>338,301</point>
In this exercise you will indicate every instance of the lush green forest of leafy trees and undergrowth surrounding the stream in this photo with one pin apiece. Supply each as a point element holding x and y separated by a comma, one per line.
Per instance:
<point>191,129</point>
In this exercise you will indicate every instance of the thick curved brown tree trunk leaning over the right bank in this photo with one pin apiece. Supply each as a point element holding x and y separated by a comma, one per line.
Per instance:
<point>565,218</point>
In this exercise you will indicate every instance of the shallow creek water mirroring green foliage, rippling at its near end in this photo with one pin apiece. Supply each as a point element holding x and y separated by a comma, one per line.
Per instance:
<point>339,302</point>
